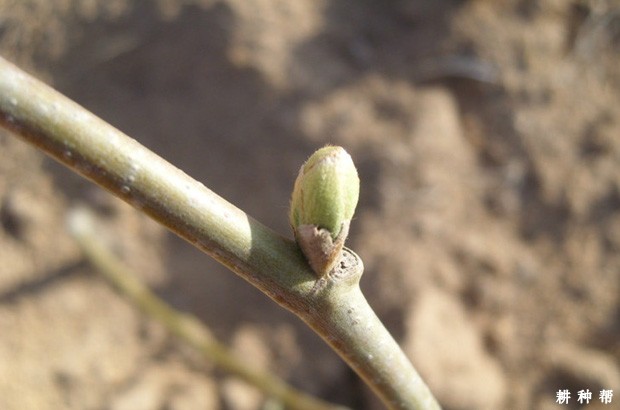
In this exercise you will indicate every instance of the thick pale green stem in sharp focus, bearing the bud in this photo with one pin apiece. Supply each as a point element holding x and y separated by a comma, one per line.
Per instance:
<point>98,151</point>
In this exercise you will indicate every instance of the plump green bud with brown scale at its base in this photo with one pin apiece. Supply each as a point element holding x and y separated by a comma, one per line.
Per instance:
<point>322,206</point>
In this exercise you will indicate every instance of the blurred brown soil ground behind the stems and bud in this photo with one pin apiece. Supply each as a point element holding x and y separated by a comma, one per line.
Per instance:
<point>487,136</point>
